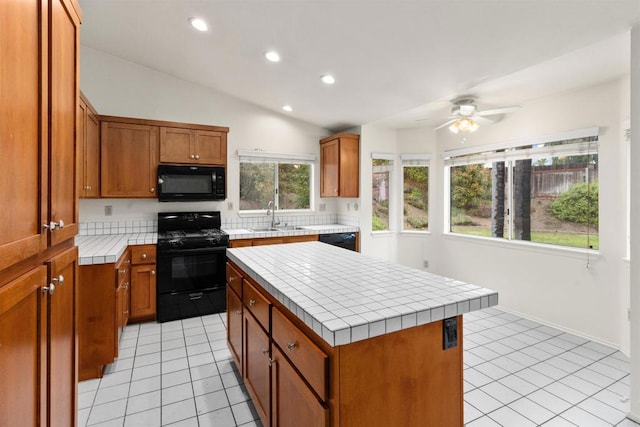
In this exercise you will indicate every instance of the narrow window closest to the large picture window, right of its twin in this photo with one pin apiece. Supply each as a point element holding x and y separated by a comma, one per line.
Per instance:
<point>415,190</point>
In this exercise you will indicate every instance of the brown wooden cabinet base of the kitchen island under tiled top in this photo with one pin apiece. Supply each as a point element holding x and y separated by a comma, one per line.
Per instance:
<point>404,378</point>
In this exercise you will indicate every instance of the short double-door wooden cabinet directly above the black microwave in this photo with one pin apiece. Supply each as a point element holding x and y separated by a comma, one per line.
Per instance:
<point>197,146</point>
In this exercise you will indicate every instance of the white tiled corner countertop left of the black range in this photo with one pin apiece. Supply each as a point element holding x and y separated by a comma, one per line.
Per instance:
<point>107,248</point>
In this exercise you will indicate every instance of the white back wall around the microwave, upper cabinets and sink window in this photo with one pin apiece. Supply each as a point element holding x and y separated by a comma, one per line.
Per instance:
<point>117,87</point>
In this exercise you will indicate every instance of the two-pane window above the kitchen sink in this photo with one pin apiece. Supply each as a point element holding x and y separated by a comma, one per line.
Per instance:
<point>285,180</point>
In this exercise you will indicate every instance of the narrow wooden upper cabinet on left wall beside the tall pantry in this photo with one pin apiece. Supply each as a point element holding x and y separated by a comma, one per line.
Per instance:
<point>88,149</point>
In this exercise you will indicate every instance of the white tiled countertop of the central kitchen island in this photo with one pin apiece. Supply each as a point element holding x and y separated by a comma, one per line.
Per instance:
<point>345,296</point>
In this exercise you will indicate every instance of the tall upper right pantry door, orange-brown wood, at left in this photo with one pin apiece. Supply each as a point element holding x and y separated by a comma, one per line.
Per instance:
<point>63,99</point>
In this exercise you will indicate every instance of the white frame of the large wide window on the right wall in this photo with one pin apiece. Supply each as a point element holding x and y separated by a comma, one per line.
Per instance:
<point>509,153</point>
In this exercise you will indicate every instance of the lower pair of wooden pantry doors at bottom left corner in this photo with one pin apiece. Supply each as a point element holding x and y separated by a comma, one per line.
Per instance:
<point>38,345</point>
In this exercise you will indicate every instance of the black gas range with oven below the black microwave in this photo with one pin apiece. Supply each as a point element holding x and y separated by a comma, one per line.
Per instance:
<point>191,261</point>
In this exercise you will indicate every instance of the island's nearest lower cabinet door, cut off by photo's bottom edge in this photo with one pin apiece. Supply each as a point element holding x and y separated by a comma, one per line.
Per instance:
<point>293,403</point>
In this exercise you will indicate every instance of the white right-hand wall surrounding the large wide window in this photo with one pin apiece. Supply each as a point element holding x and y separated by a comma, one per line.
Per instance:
<point>552,285</point>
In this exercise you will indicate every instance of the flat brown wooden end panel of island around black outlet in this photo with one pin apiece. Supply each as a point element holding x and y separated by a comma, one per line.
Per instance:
<point>416,382</point>
